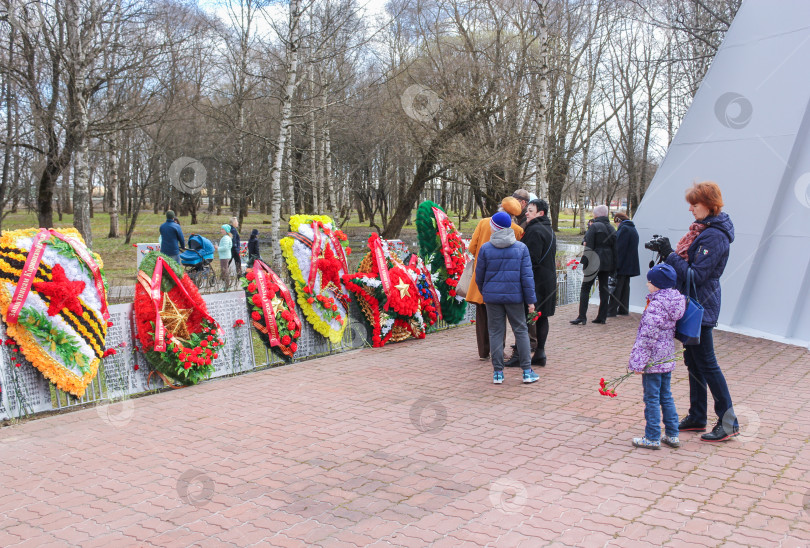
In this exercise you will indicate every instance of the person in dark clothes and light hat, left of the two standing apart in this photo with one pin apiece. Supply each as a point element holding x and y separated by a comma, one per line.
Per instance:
<point>598,261</point>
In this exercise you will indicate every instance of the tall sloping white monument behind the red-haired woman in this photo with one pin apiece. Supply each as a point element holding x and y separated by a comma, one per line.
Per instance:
<point>748,130</point>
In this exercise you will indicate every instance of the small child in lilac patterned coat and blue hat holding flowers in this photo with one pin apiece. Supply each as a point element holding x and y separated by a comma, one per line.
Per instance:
<point>653,356</point>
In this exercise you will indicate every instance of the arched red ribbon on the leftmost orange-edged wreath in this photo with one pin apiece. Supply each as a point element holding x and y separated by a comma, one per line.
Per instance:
<point>32,262</point>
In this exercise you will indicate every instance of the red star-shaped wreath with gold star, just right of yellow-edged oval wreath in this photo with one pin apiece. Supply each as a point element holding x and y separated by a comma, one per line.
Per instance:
<point>387,294</point>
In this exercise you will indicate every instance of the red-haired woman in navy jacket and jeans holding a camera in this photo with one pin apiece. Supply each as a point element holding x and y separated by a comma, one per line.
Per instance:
<point>704,250</point>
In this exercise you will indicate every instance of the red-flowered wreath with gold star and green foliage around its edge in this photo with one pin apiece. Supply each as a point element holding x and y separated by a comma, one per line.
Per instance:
<point>178,337</point>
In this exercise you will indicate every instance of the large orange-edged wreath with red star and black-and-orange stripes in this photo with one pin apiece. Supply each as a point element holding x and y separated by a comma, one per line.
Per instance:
<point>53,298</point>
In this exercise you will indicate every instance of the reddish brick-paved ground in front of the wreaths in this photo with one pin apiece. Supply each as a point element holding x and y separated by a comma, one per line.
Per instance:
<point>412,445</point>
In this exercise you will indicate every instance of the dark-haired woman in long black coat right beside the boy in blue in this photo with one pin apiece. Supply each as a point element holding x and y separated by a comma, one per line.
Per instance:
<point>539,238</point>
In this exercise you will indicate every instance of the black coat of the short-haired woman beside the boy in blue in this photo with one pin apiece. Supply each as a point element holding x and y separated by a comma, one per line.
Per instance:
<point>539,238</point>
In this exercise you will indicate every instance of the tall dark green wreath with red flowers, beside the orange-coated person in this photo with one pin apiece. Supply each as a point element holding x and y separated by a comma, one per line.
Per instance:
<point>441,248</point>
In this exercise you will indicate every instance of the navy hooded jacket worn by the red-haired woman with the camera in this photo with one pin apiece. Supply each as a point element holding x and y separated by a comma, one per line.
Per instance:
<point>708,256</point>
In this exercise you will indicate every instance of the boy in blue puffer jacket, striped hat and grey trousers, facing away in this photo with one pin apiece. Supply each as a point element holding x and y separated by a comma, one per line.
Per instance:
<point>503,272</point>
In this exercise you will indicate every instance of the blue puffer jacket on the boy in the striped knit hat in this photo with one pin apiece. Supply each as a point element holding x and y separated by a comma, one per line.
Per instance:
<point>503,270</point>
